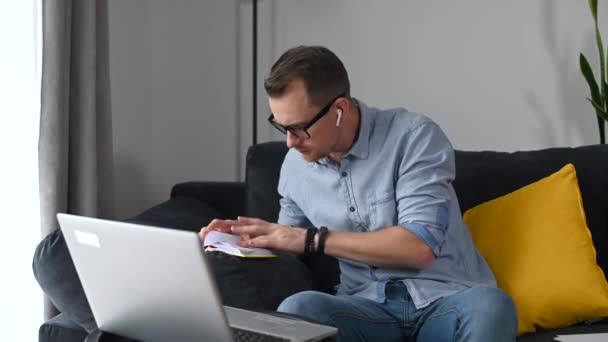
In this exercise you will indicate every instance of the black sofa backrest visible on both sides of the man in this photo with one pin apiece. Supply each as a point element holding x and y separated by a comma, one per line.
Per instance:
<point>480,176</point>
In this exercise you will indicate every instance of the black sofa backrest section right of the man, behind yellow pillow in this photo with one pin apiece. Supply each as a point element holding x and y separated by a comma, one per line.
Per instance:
<point>482,176</point>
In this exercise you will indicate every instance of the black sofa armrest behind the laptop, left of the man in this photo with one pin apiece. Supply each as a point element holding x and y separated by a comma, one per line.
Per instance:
<point>227,197</point>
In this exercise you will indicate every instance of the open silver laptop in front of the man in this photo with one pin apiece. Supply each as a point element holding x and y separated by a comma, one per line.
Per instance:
<point>153,284</point>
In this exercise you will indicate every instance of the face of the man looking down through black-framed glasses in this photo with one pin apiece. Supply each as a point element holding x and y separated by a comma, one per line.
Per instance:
<point>294,109</point>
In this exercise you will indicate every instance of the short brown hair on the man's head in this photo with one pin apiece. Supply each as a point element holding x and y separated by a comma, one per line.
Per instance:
<point>323,73</point>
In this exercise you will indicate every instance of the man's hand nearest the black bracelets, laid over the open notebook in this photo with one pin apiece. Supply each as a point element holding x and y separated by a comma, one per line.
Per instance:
<point>259,233</point>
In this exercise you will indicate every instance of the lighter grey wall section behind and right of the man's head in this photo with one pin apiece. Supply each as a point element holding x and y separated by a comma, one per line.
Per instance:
<point>499,75</point>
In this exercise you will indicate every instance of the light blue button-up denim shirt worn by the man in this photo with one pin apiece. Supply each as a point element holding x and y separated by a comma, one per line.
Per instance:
<point>398,173</point>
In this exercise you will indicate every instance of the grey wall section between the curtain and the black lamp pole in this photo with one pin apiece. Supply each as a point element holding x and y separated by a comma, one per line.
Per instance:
<point>174,69</point>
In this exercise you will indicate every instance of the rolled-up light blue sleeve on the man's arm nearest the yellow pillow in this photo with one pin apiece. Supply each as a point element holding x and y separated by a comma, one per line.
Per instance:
<point>423,184</point>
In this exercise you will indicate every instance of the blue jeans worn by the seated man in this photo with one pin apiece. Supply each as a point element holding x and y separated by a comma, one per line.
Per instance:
<point>475,314</point>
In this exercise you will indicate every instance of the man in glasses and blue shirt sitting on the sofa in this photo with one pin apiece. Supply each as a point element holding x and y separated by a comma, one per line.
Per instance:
<point>378,185</point>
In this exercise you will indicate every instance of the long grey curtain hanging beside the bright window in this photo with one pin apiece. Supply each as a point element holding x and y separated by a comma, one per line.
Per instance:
<point>75,143</point>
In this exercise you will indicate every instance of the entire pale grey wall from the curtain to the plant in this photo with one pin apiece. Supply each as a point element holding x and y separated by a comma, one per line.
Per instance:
<point>496,75</point>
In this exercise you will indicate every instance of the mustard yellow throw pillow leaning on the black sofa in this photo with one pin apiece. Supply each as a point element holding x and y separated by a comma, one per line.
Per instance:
<point>537,243</point>
